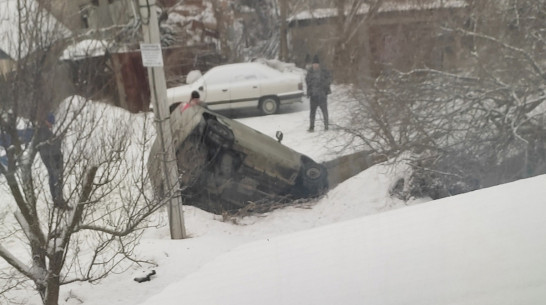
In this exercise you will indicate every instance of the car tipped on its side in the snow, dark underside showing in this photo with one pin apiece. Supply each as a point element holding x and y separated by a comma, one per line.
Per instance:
<point>224,165</point>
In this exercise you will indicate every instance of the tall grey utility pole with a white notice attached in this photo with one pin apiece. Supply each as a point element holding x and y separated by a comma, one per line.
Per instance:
<point>152,58</point>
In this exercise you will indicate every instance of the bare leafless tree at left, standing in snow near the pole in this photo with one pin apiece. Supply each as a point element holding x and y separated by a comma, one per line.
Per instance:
<point>78,199</point>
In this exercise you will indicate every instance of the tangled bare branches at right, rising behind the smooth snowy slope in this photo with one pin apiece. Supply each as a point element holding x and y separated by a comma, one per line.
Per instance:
<point>478,126</point>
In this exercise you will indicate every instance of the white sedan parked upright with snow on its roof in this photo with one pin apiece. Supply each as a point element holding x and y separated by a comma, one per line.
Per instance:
<point>242,85</point>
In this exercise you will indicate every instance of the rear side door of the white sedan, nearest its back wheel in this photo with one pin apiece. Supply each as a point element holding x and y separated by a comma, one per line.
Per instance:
<point>245,88</point>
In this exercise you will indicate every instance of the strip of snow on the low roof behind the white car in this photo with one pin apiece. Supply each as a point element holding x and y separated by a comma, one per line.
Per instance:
<point>386,7</point>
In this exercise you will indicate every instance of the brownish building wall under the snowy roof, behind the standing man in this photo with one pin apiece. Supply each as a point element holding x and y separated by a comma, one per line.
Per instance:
<point>399,40</point>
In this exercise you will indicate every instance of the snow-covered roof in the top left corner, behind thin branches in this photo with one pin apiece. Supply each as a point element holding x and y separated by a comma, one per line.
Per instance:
<point>18,41</point>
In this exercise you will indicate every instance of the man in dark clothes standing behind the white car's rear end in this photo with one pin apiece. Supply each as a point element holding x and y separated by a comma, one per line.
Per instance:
<point>318,87</point>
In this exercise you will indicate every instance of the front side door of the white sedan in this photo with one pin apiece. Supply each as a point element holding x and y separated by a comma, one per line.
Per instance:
<point>216,87</point>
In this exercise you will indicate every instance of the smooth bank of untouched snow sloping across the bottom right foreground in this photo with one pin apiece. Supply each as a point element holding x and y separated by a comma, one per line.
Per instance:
<point>485,247</point>
